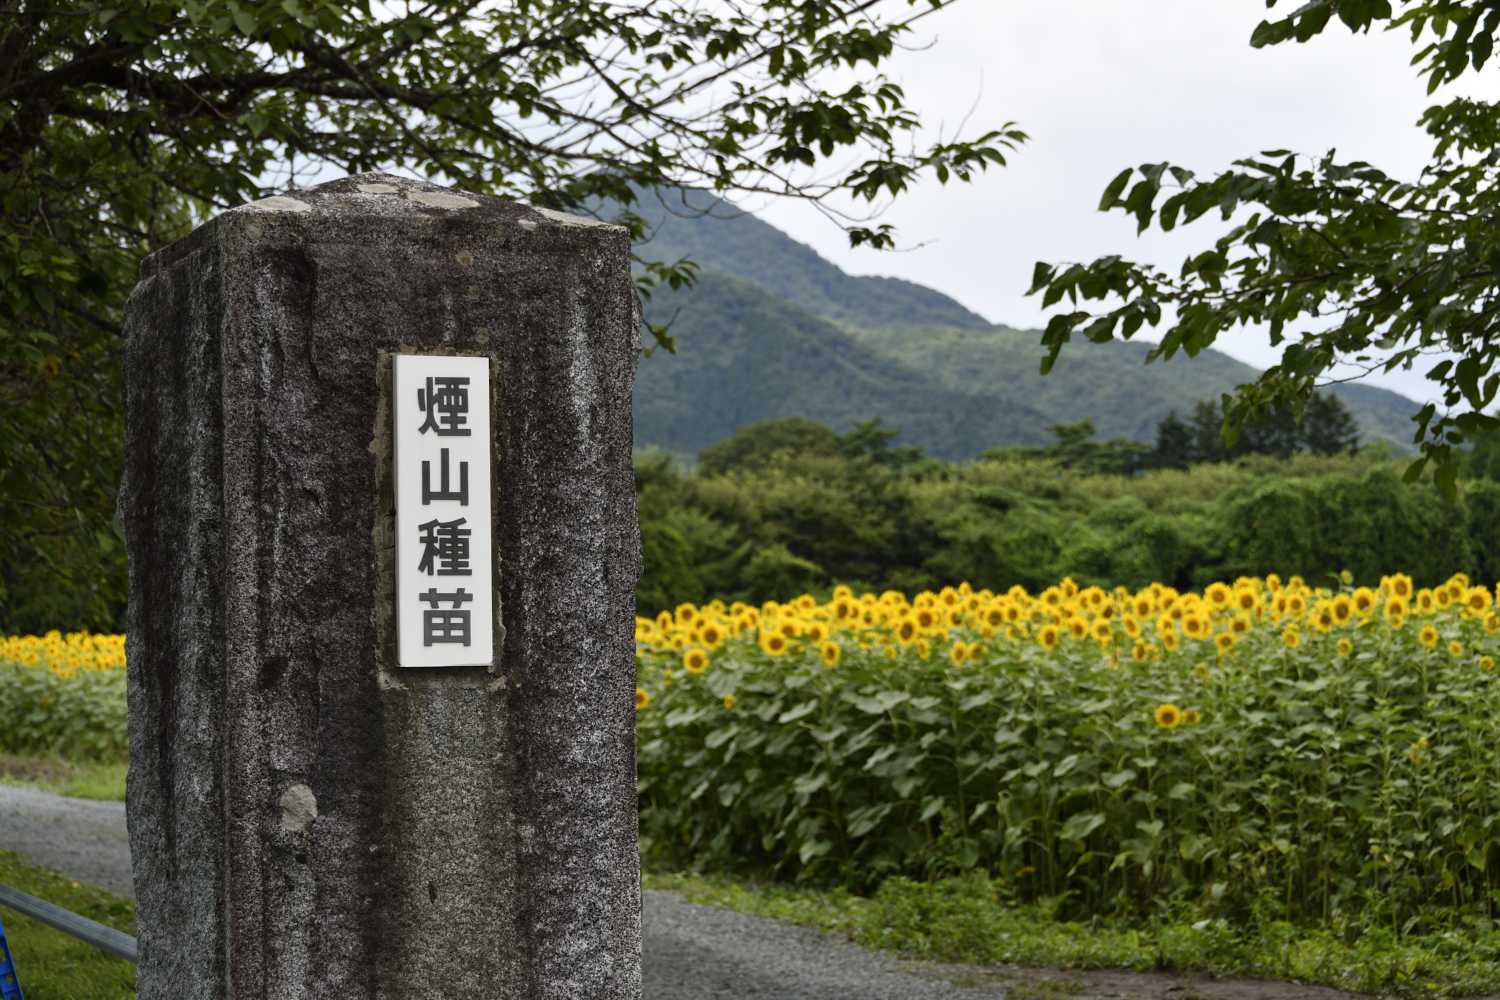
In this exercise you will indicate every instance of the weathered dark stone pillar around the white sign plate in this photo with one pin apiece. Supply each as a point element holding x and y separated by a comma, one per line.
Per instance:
<point>308,819</point>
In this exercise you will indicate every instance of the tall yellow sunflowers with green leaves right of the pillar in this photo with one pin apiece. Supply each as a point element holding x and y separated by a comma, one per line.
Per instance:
<point>1262,747</point>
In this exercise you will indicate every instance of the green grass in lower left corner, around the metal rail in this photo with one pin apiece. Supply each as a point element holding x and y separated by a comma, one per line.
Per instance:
<point>52,965</point>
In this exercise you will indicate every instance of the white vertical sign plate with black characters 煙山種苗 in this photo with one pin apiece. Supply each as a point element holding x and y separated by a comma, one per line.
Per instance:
<point>445,585</point>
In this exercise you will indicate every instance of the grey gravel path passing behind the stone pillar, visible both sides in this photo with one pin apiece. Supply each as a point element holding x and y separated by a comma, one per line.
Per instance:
<point>692,953</point>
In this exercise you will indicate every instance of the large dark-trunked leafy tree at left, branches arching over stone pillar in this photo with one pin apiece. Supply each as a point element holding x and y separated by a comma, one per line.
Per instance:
<point>124,124</point>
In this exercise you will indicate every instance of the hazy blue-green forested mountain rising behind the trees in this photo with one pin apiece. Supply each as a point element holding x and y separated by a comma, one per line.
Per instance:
<point>775,331</point>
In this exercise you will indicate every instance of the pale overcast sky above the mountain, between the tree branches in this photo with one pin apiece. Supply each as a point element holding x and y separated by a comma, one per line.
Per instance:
<point>1106,85</point>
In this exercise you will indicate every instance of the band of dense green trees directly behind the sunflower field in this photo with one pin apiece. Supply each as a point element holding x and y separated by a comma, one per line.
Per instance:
<point>812,509</point>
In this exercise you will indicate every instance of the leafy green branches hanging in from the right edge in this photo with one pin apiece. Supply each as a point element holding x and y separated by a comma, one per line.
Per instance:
<point>1342,262</point>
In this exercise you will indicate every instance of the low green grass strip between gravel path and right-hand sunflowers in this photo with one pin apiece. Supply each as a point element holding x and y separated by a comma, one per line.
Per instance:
<point>967,921</point>
